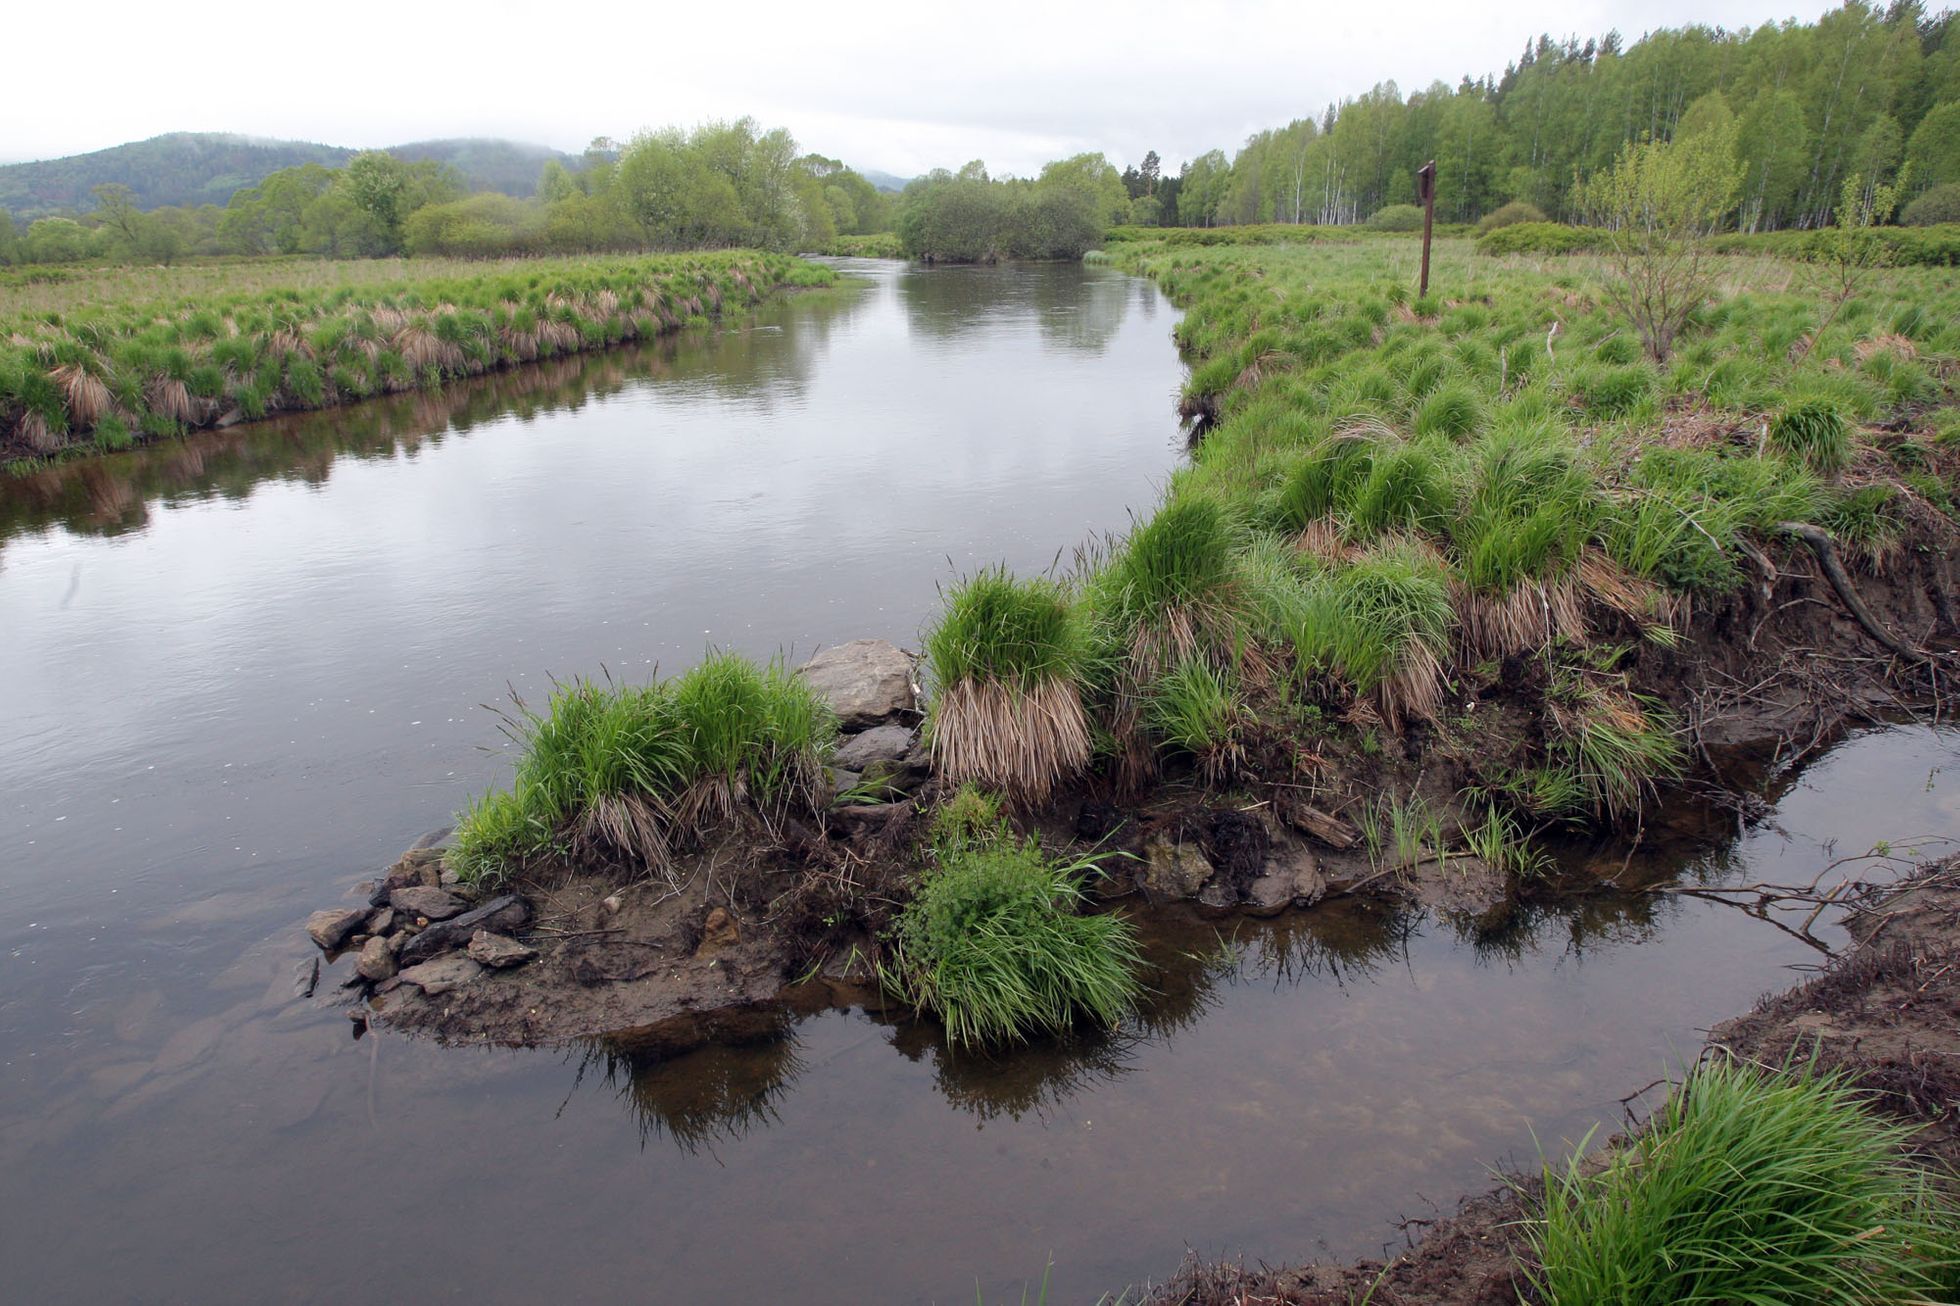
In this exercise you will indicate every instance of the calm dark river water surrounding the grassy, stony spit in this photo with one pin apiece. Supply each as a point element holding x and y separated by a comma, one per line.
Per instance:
<point>244,672</point>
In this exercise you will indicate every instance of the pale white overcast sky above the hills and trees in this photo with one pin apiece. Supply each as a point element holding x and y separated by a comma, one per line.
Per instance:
<point>895,87</point>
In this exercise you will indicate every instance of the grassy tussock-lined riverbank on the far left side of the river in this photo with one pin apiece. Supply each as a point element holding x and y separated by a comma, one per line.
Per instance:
<point>97,368</point>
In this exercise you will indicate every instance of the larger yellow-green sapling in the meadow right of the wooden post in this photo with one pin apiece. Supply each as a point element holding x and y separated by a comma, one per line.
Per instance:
<point>1661,203</point>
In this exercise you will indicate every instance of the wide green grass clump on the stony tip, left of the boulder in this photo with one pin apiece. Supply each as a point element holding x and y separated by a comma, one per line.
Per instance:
<point>624,776</point>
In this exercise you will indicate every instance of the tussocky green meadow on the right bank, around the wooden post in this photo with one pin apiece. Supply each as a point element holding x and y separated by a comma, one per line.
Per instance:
<point>1395,497</point>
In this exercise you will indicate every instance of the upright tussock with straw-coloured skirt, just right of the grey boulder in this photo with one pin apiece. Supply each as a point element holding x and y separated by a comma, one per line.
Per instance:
<point>1008,660</point>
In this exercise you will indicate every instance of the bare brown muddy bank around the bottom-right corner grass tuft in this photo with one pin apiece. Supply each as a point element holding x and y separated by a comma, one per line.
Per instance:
<point>1883,1015</point>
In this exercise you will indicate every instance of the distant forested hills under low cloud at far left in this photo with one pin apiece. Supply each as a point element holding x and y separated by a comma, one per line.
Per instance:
<point>205,168</point>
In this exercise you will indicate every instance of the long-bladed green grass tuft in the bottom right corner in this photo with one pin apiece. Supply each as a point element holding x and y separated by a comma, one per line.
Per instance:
<point>1747,1187</point>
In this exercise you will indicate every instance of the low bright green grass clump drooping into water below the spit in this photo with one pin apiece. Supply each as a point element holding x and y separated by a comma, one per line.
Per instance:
<point>995,944</point>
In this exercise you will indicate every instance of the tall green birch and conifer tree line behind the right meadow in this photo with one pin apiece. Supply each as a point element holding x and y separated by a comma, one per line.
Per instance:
<point>1863,91</point>
